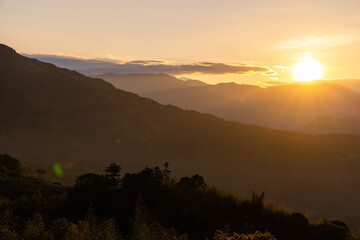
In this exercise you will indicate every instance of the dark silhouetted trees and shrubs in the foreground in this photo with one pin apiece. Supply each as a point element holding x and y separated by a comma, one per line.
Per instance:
<point>149,204</point>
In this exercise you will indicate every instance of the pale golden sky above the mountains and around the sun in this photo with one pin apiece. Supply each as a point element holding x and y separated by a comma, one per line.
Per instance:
<point>268,34</point>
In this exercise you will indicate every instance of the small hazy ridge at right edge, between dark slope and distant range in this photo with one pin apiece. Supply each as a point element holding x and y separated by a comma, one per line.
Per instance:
<point>327,125</point>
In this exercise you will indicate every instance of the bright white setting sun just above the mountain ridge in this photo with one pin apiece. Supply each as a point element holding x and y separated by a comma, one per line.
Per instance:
<point>307,69</point>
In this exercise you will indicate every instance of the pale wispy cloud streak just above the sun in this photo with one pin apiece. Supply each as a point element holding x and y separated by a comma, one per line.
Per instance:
<point>319,41</point>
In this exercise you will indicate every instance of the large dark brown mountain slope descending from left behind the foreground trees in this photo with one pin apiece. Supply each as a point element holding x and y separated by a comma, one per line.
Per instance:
<point>52,115</point>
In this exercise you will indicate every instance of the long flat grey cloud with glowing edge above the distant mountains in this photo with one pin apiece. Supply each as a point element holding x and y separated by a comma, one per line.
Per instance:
<point>96,66</point>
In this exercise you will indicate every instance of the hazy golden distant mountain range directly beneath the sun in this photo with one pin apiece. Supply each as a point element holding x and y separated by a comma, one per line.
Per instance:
<point>287,107</point>
